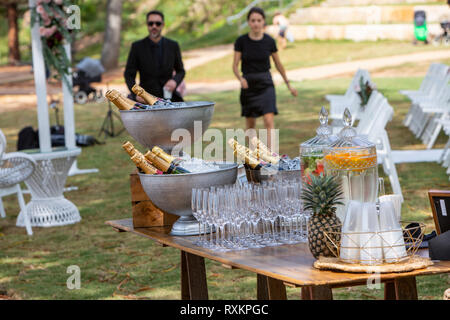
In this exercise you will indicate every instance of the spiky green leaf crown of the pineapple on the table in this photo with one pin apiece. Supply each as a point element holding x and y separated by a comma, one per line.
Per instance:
<point>322,195</point>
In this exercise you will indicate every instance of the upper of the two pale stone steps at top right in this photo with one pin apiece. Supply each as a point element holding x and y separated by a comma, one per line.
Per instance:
<point>366,14</point>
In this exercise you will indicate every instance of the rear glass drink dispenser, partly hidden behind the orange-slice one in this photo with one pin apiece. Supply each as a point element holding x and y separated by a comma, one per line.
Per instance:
<point>312,150</point>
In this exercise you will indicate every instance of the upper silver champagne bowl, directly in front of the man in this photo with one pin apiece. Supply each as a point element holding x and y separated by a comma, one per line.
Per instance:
<point>155,127</point>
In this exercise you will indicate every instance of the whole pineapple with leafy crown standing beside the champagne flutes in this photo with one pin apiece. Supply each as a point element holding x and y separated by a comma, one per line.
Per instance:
<point>321,196</point>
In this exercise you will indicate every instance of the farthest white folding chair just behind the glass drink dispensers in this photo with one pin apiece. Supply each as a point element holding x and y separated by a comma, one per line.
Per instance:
<point>350,100</point>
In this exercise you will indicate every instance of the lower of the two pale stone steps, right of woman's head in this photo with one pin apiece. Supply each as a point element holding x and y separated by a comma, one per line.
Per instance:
<point>356,32</point>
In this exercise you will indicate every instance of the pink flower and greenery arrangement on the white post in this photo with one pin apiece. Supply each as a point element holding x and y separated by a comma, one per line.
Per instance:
<point>52,18</point>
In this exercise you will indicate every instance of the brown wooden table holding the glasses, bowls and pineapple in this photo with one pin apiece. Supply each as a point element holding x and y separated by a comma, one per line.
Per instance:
<point>276,267</point>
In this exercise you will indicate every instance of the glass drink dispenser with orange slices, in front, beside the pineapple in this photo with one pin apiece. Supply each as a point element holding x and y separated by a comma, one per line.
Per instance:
<point>353,159</point>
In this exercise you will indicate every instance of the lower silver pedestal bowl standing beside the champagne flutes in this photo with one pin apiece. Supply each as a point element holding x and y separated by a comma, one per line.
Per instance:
<point>172,192</point>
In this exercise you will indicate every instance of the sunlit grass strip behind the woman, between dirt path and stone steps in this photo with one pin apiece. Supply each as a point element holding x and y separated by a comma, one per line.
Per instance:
<point>312,53</point>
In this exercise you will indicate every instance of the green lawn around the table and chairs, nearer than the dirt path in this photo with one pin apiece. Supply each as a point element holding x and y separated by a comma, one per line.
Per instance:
<point>123,266</point>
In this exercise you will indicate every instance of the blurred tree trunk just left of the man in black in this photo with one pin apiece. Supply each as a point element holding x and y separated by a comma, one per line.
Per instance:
<point>111,43</point>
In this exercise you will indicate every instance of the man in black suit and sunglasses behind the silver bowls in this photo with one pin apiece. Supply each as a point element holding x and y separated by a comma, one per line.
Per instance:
<point>155,58</point>
